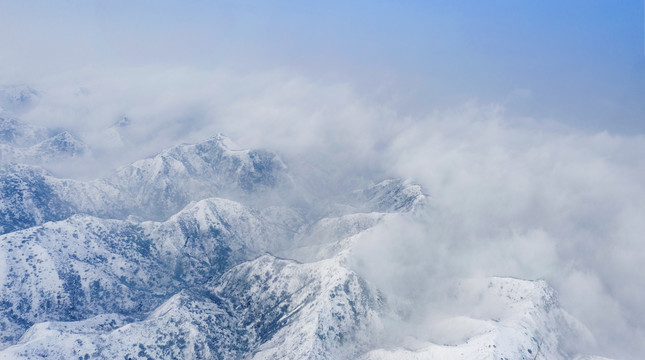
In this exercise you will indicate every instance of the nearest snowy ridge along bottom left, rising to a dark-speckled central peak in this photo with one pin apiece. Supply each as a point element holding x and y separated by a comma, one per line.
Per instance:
<point>255,310</point>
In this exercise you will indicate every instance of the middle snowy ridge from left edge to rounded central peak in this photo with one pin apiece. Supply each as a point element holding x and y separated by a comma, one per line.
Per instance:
<point>85,266</point>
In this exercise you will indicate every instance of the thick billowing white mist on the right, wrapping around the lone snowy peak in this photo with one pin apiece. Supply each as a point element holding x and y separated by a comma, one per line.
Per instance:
<point>510,199</point>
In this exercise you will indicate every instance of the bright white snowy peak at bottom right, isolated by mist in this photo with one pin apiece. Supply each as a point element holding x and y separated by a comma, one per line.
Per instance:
<point>496,318</point>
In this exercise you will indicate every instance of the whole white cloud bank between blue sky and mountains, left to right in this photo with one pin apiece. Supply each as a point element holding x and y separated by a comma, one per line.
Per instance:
<point>508,197</point>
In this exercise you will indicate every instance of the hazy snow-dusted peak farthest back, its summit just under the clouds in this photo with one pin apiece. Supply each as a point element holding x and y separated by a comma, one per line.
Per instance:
<point>161,185</point>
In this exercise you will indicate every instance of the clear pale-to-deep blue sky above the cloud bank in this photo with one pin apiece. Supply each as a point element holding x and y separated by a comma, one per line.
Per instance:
<point>581,63</point>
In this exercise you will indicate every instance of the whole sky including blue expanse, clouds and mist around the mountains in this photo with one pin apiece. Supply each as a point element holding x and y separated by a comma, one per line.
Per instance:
<point>523,120</point>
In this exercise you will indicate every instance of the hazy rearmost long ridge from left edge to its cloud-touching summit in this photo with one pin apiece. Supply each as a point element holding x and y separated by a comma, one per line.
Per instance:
<point>153,188</point>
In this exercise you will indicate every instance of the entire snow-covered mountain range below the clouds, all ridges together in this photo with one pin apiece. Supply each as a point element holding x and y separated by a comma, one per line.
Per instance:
<point>211,251</point>
